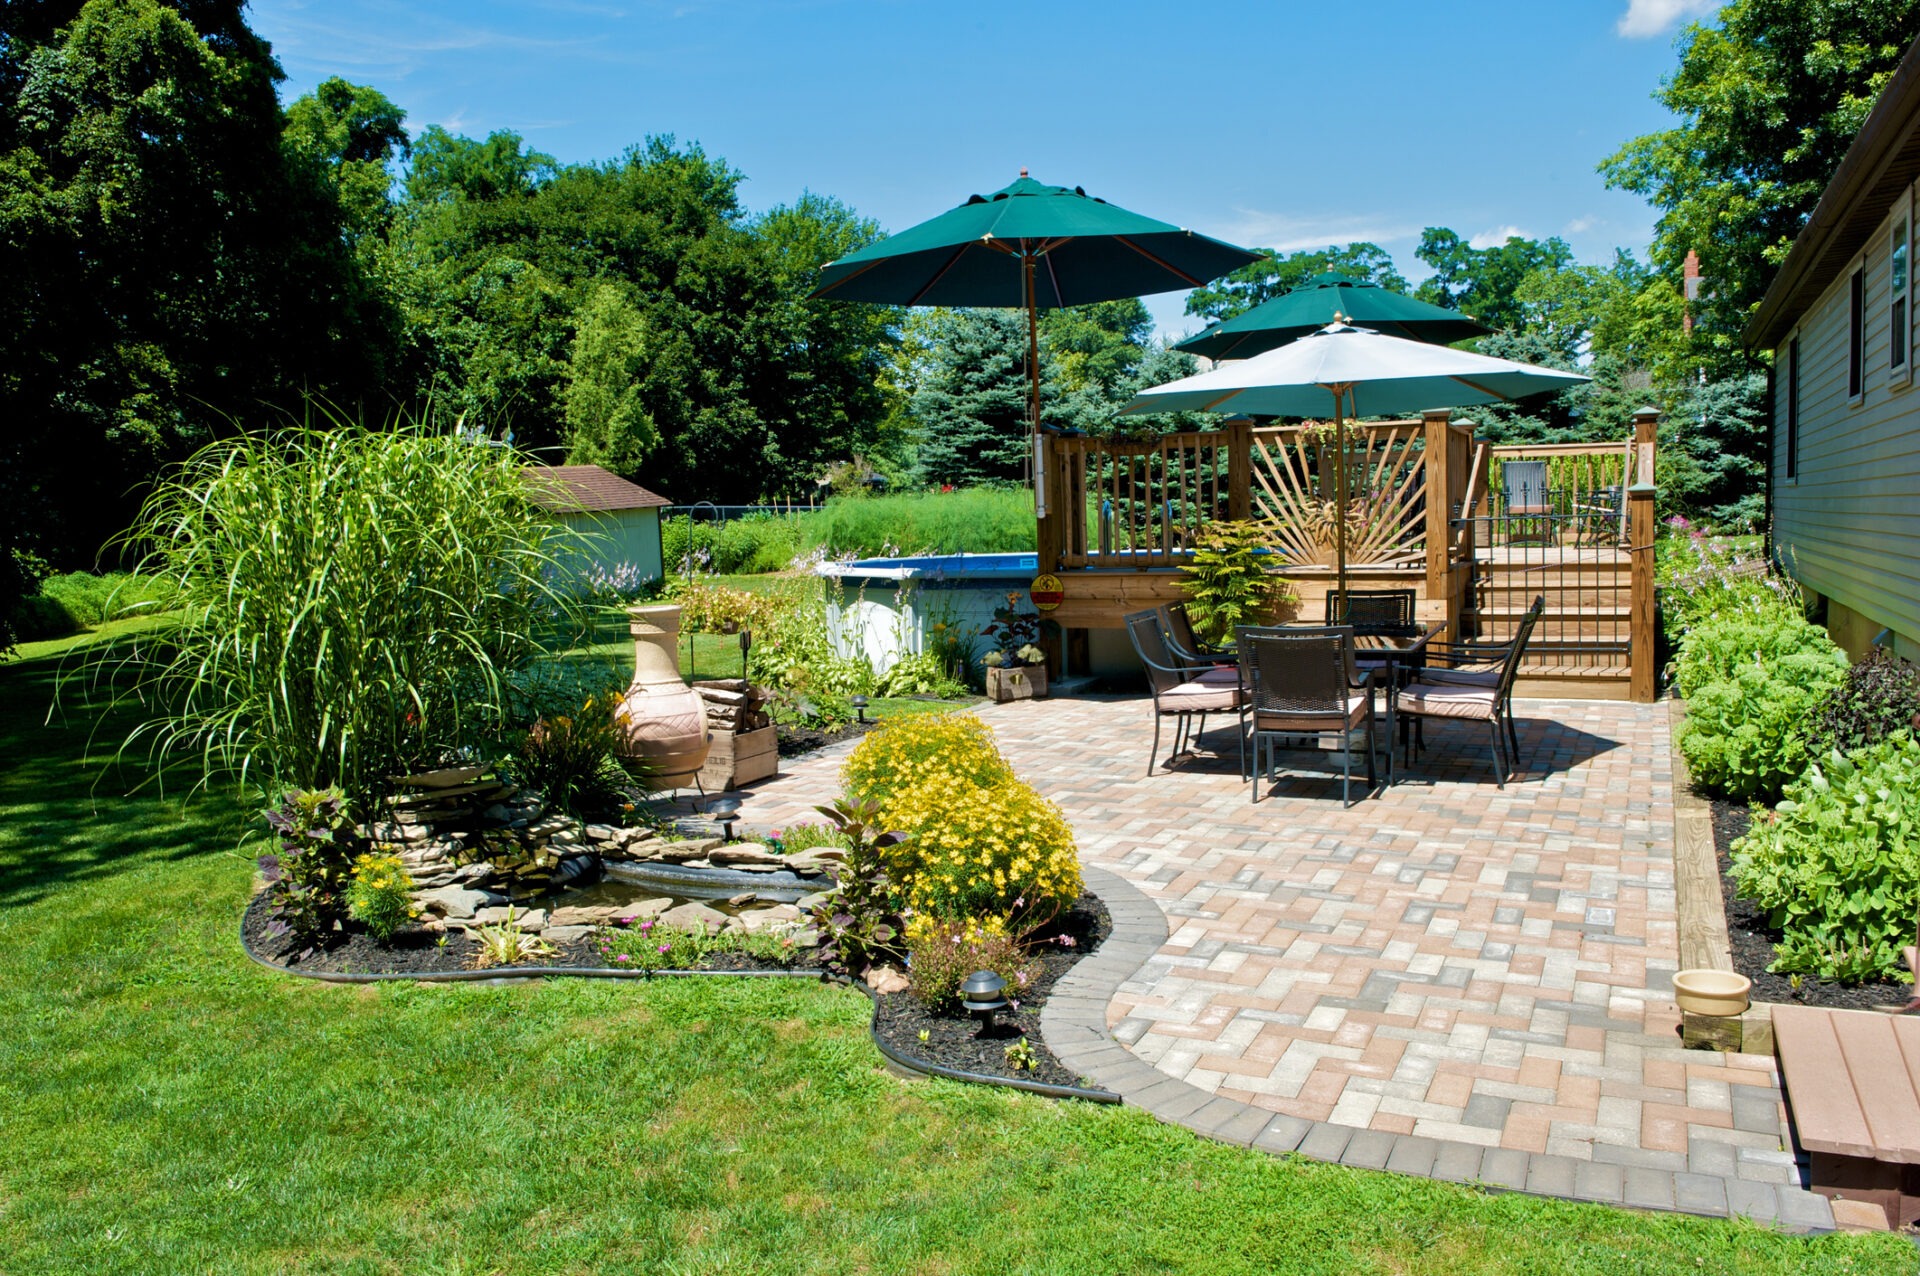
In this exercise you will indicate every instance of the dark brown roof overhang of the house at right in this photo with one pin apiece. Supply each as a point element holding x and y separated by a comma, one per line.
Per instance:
<point>1883,162</point>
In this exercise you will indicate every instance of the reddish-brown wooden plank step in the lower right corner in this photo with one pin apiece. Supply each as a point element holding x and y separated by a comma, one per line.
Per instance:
<point>1854,1089</point>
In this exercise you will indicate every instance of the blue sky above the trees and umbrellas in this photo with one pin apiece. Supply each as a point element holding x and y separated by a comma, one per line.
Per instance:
<point>1270,126</point>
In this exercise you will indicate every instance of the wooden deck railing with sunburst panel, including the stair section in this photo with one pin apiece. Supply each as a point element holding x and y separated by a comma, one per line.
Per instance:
<point>1424,496</point>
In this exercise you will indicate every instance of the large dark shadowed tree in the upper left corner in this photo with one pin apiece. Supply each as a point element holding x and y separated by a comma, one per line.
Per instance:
<point>164,270</point>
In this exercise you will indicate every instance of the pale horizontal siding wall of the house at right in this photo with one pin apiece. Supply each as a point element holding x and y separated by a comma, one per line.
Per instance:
<point>1848,523</point>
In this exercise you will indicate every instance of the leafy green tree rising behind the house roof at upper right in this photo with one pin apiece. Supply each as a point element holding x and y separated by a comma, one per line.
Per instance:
<point>1769,103</point>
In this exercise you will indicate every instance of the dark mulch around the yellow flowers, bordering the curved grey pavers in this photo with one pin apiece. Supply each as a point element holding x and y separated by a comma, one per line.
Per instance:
<point>953,1041</point>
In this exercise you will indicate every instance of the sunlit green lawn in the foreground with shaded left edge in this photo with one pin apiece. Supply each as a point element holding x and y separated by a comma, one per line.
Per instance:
<point>172,1108</point>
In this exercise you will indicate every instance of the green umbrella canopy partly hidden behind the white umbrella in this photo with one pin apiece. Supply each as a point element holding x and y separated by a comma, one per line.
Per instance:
<point>1324,300</point>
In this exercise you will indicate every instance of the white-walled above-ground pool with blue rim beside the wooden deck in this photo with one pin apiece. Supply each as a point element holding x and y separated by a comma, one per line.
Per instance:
<point>884,609</point>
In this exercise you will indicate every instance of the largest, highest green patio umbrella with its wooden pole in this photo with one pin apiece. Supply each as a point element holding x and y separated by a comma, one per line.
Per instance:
<point>1030,247</point>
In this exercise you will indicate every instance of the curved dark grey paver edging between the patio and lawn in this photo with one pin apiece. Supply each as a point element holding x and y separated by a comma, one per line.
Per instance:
<point>1074,1028</point>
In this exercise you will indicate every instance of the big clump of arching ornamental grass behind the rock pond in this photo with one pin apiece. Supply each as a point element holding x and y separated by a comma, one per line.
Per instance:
<point>352,603</point>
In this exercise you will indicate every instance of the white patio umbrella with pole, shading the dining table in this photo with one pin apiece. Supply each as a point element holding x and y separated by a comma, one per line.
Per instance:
<point>1351,373</point>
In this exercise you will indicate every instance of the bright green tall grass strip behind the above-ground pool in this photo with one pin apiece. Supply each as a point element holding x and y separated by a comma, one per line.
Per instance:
<point>982,521</point>
